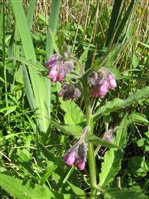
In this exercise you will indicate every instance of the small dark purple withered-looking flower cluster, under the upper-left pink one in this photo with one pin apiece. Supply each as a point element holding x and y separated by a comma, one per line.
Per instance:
<point>69,91</point>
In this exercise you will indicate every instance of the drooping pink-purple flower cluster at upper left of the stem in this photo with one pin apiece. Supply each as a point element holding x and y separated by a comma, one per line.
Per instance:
<point>58,68</point>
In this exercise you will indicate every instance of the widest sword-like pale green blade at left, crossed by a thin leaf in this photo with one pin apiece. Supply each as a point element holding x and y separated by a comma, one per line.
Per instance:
<point>34,84</point>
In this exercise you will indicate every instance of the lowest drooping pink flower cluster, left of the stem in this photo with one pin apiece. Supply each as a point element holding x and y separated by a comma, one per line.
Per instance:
<point>76,155</point>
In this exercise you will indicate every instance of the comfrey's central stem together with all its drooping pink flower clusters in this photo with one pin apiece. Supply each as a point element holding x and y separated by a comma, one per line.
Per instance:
<point>89,85</point>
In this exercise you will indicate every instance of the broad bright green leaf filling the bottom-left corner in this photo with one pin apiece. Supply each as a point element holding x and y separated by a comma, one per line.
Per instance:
<point>19,189</point>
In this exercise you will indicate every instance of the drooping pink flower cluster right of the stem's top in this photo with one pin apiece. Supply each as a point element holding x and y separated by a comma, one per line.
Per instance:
<point>101,82</point>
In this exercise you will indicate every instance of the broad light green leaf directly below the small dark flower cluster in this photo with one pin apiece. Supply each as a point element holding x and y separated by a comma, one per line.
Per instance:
<point>73,114</point>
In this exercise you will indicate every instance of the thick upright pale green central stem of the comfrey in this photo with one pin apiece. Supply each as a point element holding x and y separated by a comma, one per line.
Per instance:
<point>91,157</point>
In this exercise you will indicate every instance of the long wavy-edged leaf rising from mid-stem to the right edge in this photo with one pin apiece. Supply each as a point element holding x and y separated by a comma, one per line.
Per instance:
<point>117,103</point>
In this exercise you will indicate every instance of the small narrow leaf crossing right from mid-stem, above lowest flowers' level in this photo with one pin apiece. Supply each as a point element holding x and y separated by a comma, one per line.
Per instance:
<point>98,141</point>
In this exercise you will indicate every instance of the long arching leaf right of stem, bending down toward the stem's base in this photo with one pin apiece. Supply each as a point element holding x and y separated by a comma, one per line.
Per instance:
<point>113,157</point>
